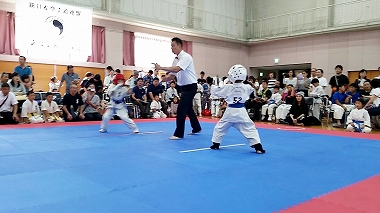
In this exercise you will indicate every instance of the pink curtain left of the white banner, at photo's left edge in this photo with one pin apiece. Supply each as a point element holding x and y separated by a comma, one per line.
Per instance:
<point>7,33</point>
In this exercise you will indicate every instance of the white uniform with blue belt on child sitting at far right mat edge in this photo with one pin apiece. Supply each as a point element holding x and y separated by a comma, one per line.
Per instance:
<point>362,117</point>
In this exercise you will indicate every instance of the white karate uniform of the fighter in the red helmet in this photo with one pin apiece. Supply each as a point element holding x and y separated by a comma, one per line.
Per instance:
<point>117,93</point>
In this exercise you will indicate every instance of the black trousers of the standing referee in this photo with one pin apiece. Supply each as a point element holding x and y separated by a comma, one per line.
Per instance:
<point>185,108</point>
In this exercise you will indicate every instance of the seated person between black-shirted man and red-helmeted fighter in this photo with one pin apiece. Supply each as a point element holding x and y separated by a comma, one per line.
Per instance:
<point>91,104</point>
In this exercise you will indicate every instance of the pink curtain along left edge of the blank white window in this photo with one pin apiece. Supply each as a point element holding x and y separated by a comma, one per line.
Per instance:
<point>128,48</point>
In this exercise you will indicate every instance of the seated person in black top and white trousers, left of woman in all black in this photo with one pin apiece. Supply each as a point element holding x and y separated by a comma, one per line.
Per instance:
<point>288,97</point>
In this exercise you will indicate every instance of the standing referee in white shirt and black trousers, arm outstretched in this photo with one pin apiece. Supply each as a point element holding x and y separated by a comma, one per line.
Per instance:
<point>183,69</point>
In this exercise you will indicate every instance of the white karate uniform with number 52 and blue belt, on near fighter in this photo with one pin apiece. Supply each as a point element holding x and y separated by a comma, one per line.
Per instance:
<point>235,115</point>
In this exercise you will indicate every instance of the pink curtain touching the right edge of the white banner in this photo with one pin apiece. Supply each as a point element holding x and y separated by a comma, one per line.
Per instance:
<point>98,45</point>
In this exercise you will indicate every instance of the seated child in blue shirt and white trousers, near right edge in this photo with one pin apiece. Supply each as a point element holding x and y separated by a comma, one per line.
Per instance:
<point>339,105</point>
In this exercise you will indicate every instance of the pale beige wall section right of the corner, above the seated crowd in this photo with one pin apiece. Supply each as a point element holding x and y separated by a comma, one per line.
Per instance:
<point>353,50</point>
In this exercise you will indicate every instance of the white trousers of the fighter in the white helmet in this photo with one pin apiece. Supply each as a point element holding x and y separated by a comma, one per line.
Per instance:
<point>238,118</point>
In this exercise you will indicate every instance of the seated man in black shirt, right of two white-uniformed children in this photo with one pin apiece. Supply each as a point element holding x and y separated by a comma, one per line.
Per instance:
<point>73,105</point>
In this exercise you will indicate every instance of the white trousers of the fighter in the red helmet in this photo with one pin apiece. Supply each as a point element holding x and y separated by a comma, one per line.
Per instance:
<point>121,111</point>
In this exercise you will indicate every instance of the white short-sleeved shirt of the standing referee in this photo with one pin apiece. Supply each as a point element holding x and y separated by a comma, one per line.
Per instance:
<point>187,74</point>
